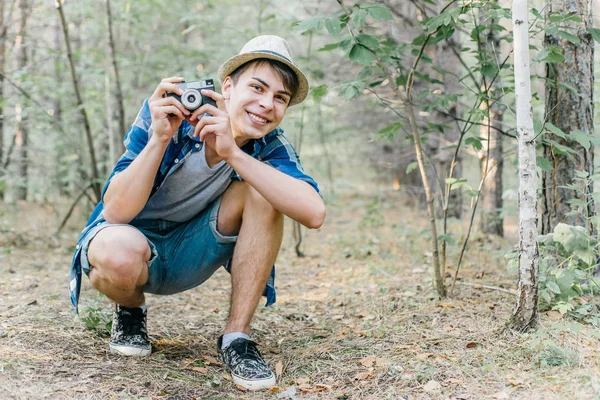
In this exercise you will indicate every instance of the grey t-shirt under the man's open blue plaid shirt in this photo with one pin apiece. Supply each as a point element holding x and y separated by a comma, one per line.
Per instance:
<point>188,190</point>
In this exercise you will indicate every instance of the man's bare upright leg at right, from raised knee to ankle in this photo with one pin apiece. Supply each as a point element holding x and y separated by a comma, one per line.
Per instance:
<point>260,230</point>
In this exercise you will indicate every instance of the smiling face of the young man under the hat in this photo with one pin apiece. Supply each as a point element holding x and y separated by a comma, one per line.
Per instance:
<point>256,103</point>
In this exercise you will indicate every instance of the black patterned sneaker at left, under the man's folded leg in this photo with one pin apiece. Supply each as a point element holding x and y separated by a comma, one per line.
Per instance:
<point>129,336</point>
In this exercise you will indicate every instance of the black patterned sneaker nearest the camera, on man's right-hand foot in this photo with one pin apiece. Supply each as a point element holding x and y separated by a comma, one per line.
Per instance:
<point>247,367</point>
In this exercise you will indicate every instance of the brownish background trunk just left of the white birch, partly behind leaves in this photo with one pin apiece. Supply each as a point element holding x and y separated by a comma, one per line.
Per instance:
<point>491,156</point>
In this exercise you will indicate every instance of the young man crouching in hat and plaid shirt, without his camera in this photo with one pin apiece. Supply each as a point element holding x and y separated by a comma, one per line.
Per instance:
<point>198,190</point>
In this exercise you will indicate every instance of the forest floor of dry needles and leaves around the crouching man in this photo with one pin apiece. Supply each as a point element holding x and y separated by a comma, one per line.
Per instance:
<point>356,318</point>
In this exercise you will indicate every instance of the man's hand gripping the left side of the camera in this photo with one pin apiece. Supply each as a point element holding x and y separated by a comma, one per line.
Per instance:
<point>167,113</point>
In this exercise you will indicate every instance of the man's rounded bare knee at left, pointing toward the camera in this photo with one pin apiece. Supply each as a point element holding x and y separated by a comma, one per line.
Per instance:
<point>119,256</point>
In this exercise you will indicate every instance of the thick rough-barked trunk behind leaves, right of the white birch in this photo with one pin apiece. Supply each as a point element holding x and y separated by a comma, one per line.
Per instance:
<point>569,111</point>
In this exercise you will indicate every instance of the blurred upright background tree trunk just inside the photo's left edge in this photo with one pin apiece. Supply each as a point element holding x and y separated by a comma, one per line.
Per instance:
<point>21,133</point>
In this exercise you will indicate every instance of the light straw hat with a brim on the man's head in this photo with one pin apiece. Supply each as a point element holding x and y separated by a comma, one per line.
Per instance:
<point>274,48</point>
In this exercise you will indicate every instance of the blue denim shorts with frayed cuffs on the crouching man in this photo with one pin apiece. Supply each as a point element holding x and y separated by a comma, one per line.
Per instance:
<point>184,254</point>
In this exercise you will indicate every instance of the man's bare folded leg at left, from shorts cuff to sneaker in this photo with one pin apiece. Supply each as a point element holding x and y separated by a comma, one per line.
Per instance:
<point>119,257</point>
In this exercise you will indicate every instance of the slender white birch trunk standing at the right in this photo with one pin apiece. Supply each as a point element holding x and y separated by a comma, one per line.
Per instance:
<point>525,313</point>
